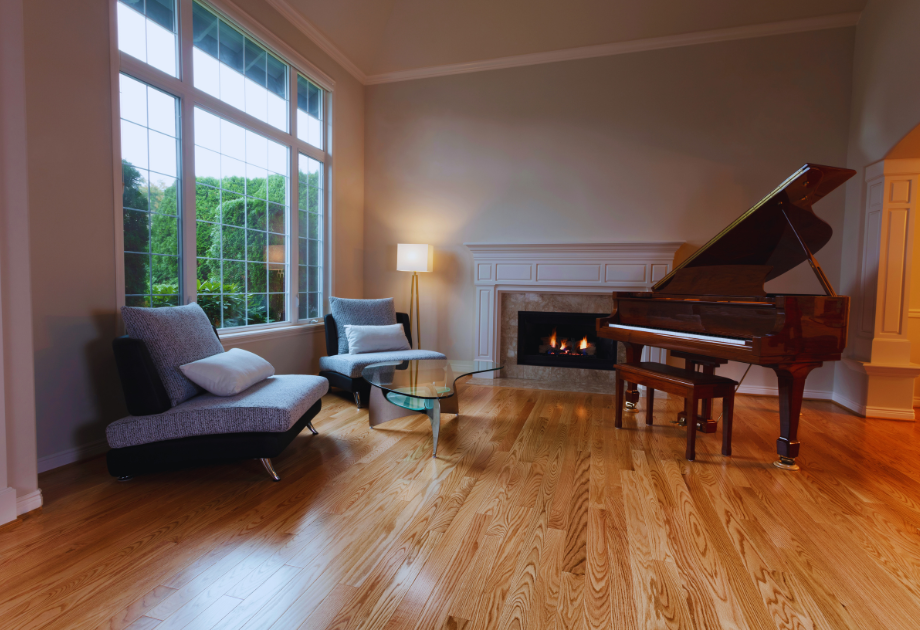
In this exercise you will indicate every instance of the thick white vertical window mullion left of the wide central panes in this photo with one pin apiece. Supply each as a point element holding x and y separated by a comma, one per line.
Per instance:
<point>188,274</point>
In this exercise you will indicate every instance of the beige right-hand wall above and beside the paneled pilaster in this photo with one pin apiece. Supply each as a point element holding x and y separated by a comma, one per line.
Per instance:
<point>885,109</point>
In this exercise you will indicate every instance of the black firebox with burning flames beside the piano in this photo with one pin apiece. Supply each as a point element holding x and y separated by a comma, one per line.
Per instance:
<point>563,340</point>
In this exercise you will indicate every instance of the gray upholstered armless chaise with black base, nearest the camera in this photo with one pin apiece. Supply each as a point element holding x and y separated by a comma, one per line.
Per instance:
<point>174,423</point>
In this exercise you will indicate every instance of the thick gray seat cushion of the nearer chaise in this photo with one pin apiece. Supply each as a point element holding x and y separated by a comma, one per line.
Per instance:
<point>274,405</point>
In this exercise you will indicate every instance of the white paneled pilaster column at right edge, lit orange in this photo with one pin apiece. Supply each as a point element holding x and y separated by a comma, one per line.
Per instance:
<point>891,212</point>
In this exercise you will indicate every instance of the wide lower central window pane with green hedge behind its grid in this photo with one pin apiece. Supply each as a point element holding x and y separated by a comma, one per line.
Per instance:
<point>242,209</point>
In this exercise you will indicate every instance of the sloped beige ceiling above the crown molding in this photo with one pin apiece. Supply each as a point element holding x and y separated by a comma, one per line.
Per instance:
<point>384,36</point>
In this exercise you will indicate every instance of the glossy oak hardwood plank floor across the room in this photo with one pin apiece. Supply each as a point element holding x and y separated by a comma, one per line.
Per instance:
<point>536,514</point>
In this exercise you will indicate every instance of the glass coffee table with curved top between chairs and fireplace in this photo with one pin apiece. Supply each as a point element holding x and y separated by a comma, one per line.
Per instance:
<point>423,386</point>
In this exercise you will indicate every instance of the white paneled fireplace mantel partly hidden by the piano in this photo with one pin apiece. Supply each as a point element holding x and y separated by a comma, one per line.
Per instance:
<point>598,268</point>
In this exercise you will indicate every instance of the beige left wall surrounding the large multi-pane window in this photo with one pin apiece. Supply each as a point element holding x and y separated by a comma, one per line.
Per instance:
<point>70,162</point>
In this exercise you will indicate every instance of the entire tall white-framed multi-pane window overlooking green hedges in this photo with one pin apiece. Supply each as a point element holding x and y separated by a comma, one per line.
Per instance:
<point>207,205</point>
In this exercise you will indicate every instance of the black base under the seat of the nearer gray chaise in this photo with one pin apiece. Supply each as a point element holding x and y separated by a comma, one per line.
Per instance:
<point>204,450</point>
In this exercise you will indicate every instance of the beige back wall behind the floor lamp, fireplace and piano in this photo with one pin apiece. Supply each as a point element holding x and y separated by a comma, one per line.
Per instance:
<point>657,146</point>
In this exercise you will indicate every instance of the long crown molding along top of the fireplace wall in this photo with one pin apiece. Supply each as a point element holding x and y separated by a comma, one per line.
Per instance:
<point>840,20</point>
